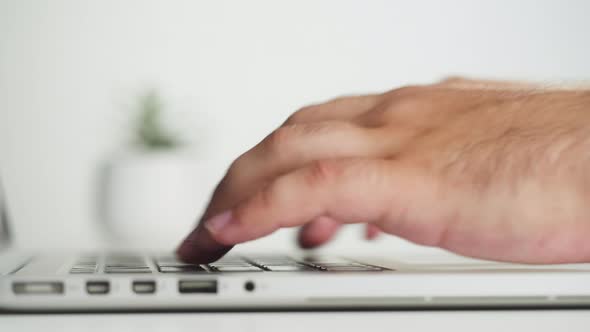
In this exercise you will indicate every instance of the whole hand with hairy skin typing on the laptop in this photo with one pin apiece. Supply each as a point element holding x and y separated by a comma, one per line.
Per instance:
<point>482,169</point>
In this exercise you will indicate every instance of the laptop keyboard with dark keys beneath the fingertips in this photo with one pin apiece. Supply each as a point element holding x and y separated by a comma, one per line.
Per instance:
<point>137,264</point>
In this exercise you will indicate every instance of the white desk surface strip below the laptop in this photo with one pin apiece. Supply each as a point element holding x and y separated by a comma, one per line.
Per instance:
<point>537,321</point>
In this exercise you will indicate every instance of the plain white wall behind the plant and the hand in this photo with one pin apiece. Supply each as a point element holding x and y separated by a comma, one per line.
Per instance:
<point>232,71</point>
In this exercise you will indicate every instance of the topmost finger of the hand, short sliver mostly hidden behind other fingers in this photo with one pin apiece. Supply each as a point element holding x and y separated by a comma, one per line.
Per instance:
<point>338,109</point>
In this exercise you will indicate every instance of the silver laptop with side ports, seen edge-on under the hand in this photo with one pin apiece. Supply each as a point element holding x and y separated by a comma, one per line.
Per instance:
<point>136,281</point>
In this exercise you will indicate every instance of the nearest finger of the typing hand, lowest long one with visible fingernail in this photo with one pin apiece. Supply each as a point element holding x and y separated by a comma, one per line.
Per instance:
<point>346,190</point>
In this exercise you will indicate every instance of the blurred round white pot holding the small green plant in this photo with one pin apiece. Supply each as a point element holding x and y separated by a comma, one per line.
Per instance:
<point>151,199</point>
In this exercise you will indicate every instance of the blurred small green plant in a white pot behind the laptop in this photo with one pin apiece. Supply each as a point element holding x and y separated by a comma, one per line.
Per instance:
<point>149,190</point>
